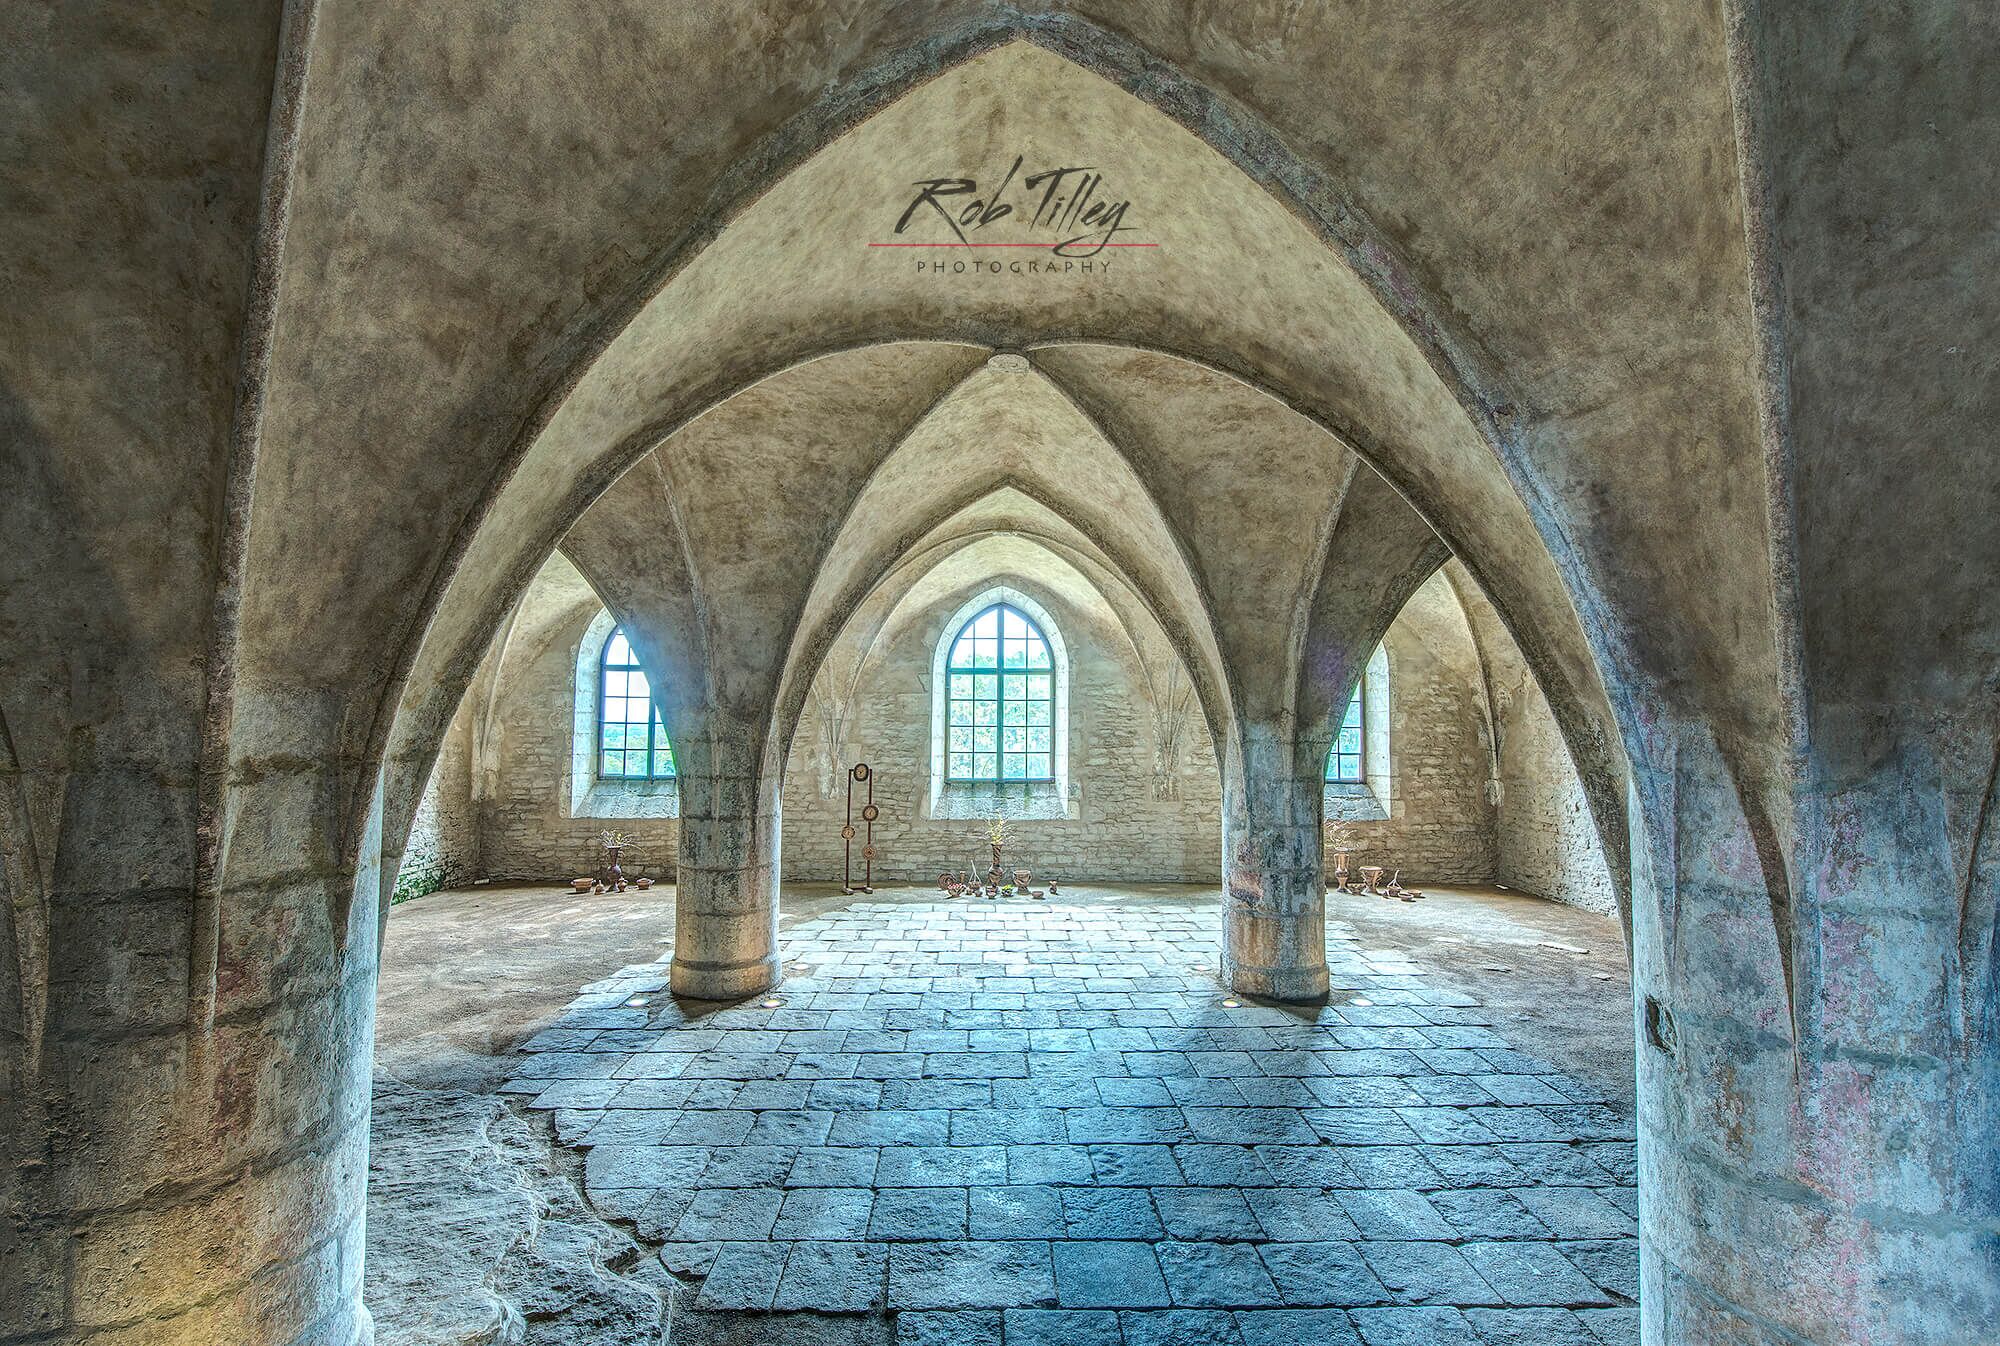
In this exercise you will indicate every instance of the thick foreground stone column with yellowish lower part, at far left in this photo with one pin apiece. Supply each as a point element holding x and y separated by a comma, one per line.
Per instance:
<point>183,1177</point>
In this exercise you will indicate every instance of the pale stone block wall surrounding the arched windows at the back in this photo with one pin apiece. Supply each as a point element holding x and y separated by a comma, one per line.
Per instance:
<point>501,799</point>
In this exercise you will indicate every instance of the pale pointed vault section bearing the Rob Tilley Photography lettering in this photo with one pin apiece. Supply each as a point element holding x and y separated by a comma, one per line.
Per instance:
<point>1247,287</point>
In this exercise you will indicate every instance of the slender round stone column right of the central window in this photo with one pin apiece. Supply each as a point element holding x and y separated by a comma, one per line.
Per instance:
<point>1273,883</point>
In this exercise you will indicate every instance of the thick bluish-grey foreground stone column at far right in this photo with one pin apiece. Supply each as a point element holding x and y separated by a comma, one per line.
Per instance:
<point>1819,1165</point>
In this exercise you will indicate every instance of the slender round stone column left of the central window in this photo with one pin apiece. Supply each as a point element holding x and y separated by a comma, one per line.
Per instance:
<point>727,879</point>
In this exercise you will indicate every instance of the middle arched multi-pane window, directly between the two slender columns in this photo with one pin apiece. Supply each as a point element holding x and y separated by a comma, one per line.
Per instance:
<point>1001,701</point>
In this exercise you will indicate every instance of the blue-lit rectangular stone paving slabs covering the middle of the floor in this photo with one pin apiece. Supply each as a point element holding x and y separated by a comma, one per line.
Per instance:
<point>1021,1123</point>
